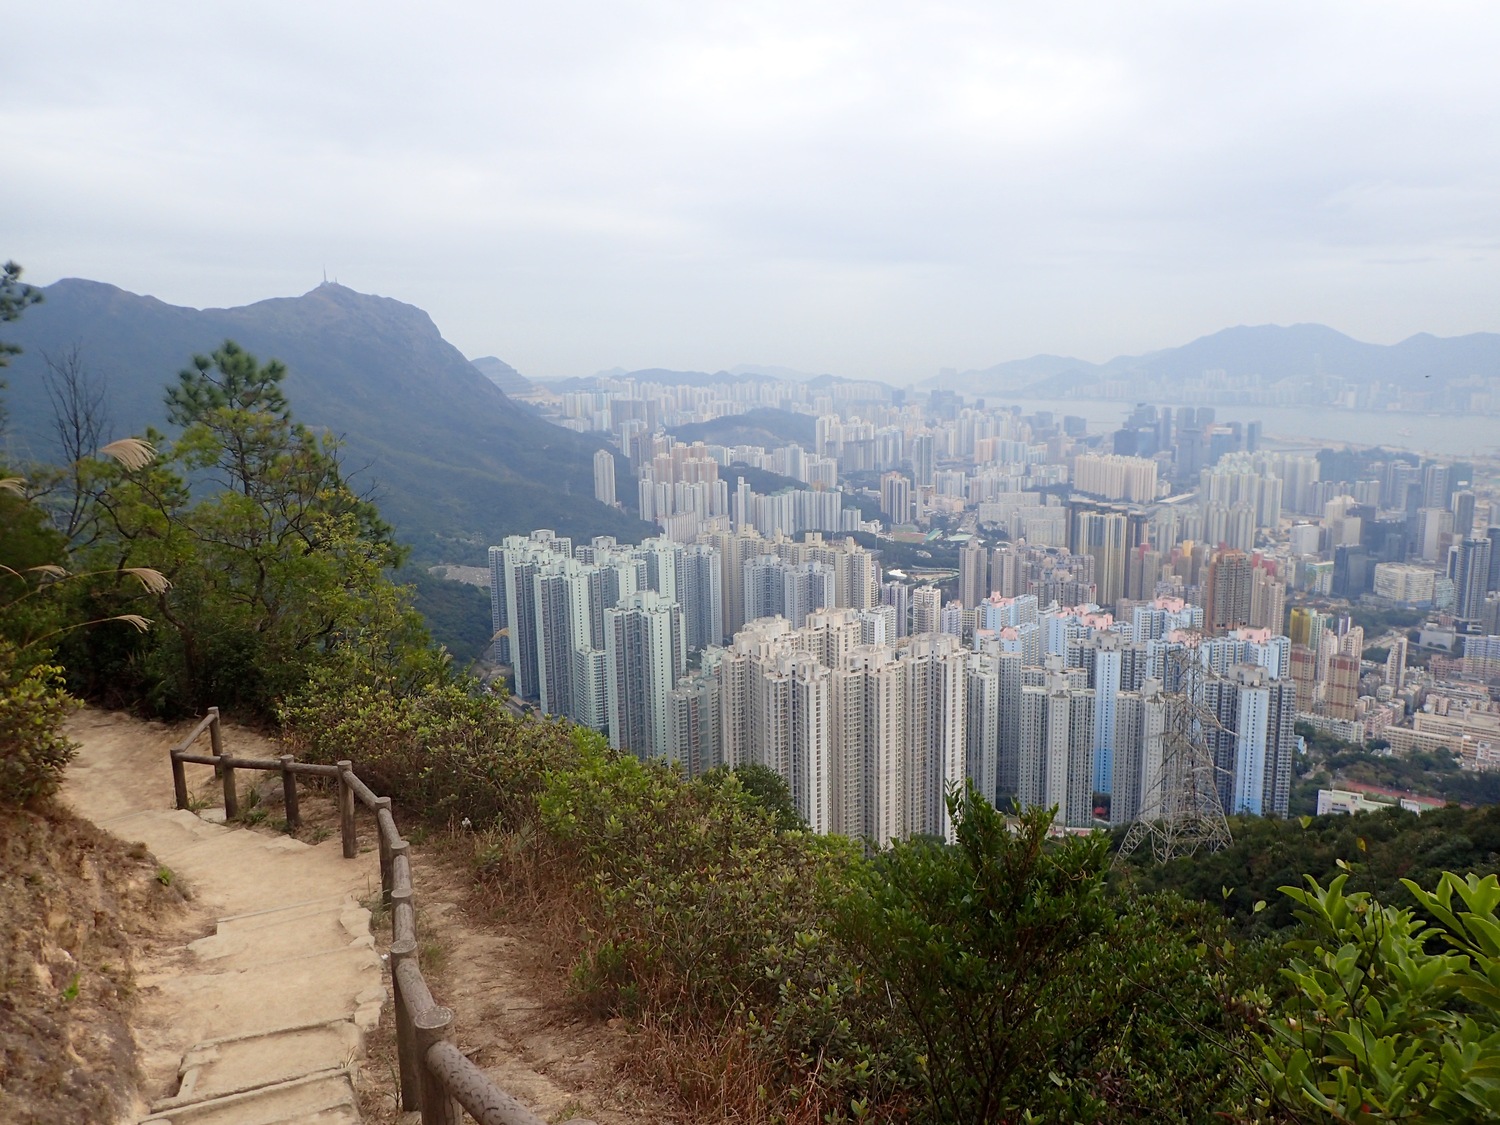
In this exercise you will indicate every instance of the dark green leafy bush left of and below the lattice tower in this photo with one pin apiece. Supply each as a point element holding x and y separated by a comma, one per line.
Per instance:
<point>1031,991</point>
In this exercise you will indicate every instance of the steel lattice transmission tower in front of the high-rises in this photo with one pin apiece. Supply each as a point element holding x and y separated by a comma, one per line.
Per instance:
<point>1183,811</point>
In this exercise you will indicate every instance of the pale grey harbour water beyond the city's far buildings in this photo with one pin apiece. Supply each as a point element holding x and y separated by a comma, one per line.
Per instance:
<point>1445,436</point>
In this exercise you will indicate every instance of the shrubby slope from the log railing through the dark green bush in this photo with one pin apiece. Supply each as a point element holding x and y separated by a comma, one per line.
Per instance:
<point>929,983</point>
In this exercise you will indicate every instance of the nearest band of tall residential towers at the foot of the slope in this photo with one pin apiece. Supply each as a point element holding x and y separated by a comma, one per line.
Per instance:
<point>875,700</point>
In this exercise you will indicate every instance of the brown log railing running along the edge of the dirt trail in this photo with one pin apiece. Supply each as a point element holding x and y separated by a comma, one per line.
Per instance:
<point>436,1076</point>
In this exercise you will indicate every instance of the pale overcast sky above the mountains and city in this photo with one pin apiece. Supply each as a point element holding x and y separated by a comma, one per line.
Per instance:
<point>862,188</point>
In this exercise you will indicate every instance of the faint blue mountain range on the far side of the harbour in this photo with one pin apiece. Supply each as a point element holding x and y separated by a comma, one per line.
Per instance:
<point>1274,353</point>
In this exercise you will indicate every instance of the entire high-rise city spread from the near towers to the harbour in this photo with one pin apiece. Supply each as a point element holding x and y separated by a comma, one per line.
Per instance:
<point>1042,658</point>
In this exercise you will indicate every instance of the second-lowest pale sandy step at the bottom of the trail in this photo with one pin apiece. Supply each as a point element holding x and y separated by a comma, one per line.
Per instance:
<point>235,1066</point>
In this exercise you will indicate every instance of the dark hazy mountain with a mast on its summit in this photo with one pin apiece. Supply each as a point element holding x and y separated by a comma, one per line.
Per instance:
<point>454,461</point>
